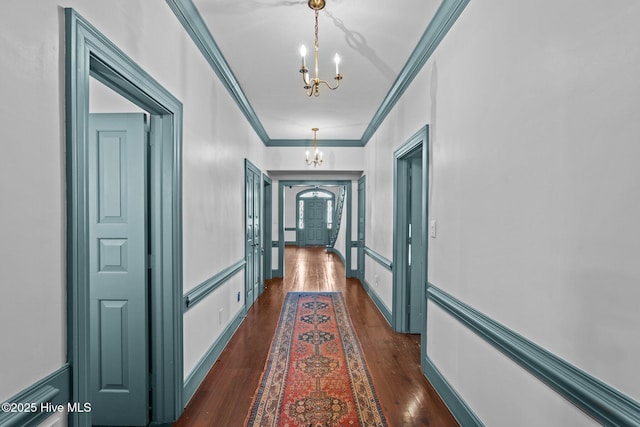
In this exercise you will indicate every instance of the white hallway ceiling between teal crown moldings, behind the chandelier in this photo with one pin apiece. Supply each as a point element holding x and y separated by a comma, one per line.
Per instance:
<point>260,41</point>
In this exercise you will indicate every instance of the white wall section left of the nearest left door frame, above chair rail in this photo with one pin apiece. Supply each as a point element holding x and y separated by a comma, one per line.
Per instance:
<point>32,270</point>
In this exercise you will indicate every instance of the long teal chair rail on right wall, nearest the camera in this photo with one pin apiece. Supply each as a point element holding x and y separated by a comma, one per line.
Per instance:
<point>602,402</point>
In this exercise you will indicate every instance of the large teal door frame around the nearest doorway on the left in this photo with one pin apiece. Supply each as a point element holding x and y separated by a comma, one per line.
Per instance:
<point>89,54</point>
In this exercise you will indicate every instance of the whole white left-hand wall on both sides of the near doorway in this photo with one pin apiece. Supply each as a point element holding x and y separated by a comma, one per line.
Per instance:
<point>216,139</point>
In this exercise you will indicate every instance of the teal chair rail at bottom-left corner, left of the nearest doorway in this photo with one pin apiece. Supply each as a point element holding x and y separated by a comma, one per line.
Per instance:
<point>54,389</point>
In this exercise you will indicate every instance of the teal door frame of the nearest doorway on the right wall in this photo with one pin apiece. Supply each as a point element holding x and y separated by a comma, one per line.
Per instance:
<point>401,157</point>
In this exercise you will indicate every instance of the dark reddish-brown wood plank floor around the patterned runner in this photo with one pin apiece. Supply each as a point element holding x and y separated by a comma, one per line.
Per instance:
<point>225,396</point>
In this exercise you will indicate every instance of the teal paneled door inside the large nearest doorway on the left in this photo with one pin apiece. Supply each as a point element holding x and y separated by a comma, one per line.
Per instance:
<point>118,315</point>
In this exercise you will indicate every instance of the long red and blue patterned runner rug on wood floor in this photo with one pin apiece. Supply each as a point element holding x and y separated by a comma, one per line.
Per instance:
<point>315,375</point>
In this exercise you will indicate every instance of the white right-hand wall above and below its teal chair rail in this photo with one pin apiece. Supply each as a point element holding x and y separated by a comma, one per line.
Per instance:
<point>534,125</point>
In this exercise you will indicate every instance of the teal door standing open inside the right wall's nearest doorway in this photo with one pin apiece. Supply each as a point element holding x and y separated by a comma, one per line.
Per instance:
<point>416,253</point>
